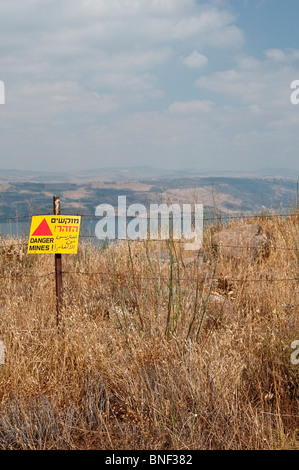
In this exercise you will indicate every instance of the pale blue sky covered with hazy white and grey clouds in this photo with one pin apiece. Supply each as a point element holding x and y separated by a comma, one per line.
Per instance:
<point>167,83</point>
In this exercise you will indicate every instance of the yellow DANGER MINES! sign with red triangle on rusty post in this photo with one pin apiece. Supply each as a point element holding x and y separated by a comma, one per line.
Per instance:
<point>54,234</point>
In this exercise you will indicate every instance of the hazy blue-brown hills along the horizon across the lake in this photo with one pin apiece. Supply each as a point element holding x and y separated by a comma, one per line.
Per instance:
<point>26,193</point>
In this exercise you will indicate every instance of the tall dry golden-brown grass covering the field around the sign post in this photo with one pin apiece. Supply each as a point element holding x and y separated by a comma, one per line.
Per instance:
<point>152,353</point>
